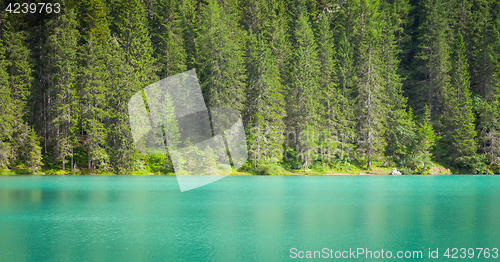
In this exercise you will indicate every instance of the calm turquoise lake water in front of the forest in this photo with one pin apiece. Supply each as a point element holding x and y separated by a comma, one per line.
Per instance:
<point>125,218</point>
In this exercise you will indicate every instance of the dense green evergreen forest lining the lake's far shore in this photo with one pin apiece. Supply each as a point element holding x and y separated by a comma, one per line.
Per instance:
<point>324,85</point>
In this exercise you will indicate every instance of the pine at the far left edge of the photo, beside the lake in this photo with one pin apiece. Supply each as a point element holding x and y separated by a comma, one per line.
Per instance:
<point>19,142</point>
